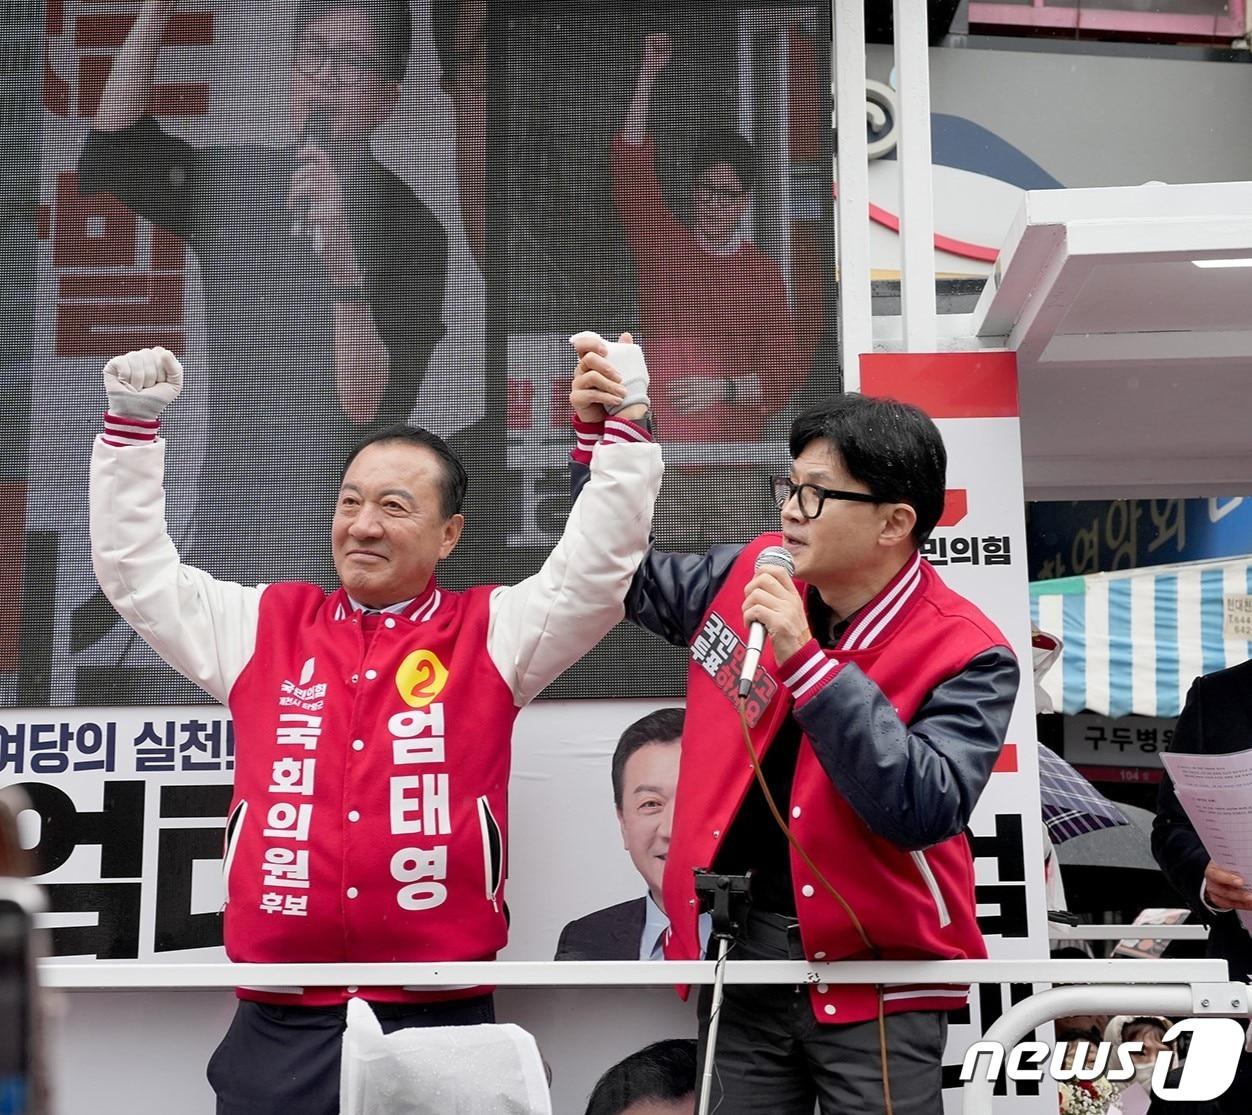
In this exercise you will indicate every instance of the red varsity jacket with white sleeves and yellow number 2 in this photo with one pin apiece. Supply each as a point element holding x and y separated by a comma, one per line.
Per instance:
<point>370,814</point>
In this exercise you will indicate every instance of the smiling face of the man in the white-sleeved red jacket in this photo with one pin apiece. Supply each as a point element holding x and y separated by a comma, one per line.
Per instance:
<point>390,530</point>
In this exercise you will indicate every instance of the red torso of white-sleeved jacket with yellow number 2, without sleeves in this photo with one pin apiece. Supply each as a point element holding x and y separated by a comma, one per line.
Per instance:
<point>370,814</point>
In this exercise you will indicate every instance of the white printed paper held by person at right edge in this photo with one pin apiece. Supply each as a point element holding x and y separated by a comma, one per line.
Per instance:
<point>1216,792</point>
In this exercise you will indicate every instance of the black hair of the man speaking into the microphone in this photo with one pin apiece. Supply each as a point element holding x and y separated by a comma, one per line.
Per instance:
<point>893,449</point>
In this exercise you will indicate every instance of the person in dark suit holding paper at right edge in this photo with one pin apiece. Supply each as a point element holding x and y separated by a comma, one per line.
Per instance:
<point>1216,720</point>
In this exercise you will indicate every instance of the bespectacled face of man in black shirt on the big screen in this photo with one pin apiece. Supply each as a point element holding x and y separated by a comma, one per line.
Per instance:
<point>339,72</point>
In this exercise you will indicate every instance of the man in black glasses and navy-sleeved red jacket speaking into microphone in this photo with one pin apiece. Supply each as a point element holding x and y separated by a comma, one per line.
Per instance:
<point>878,710</point>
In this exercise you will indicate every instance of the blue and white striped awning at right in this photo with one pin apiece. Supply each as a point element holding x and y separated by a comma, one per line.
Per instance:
<point>1135,640</point>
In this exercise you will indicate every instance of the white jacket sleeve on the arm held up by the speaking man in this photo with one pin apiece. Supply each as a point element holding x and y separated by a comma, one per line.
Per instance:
<point>548,623</point>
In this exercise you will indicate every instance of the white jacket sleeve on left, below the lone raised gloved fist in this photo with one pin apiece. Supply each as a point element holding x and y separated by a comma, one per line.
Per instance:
<point>205,629</point>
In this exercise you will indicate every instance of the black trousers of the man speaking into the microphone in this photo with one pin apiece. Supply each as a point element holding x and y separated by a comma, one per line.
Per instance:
<point>774,1058</point>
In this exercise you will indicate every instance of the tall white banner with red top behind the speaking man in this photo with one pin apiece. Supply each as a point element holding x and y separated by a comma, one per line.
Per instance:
<point>980,550</point>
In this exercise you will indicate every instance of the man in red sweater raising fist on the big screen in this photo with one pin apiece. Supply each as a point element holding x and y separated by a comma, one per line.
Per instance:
<point>714,316</point>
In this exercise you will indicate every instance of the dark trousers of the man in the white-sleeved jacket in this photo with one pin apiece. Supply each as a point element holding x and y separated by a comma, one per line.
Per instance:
<point>281,1061</point>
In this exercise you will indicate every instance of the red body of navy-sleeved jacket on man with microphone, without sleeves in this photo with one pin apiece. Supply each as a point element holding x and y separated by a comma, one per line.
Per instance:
<point>913,905</point>
